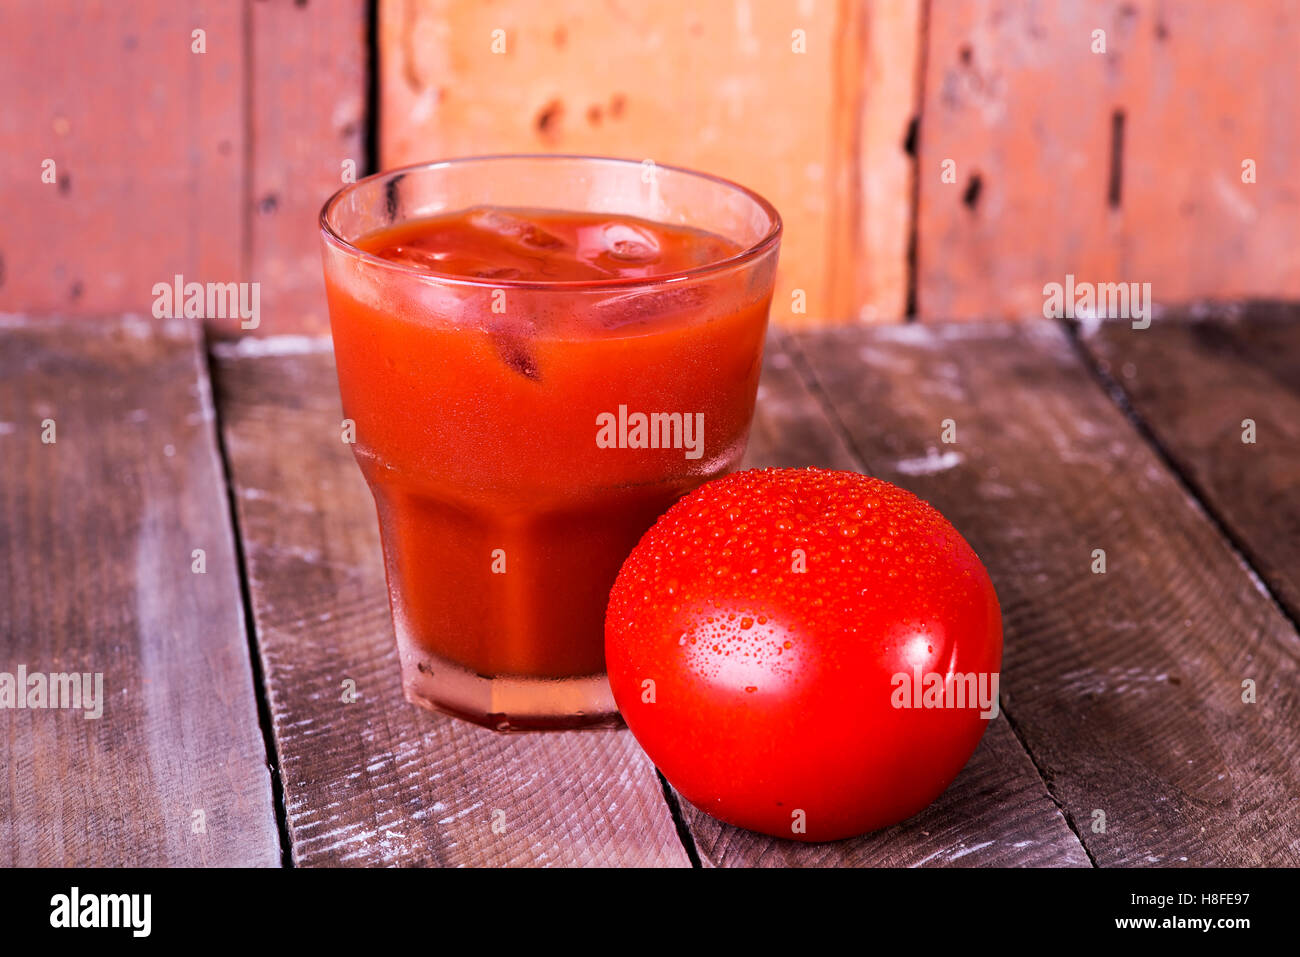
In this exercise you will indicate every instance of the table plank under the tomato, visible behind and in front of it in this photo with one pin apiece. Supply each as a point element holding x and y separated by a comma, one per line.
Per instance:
<point>998,812</point>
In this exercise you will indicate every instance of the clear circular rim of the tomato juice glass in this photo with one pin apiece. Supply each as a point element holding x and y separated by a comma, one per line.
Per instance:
<point>747,256</point>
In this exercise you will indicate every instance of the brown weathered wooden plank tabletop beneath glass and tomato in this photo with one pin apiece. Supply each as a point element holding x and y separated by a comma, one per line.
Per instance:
<point>227,738</point>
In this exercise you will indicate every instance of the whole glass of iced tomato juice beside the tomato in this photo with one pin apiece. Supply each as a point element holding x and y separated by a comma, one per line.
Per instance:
<point>540,354</point>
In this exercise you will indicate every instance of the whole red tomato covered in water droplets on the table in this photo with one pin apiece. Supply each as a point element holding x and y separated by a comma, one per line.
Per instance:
<point>765,643</point>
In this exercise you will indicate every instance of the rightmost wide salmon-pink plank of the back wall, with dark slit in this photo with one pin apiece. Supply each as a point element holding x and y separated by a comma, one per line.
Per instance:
<point>1167,159</point>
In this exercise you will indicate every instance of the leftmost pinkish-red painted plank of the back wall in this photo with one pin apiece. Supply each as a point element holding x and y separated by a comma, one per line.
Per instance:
<point>148,141</point>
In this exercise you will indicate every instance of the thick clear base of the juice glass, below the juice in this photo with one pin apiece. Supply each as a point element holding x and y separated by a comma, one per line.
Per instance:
<point>509,703</point>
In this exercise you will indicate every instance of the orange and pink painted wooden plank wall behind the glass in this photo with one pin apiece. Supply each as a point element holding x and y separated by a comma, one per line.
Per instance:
<point>215,166</point>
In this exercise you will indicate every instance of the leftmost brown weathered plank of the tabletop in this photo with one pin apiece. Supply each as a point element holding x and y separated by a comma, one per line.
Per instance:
<point>111,483</point>
